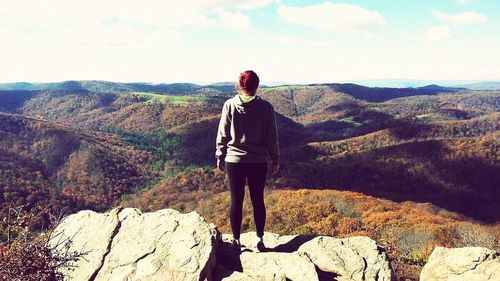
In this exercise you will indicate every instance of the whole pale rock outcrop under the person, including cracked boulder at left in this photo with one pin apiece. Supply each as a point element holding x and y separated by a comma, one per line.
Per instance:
<point>126,244</point>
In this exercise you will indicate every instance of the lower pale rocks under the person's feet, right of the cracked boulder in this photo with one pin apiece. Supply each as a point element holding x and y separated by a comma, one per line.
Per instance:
<point>303,257</point>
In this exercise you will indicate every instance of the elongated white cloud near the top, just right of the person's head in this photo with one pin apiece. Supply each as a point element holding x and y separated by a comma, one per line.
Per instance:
<point>337,16</point>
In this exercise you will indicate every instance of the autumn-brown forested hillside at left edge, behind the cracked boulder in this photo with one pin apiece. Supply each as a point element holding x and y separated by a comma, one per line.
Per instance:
<point>44,163</point>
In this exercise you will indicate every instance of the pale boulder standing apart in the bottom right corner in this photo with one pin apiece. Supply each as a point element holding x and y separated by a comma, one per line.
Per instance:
<point>469,263</point>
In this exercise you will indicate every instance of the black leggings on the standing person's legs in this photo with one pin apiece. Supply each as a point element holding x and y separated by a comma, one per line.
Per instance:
<point>255,173</point>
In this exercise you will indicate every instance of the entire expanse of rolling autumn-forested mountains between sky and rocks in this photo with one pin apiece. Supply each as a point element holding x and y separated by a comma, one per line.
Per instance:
<point>410,167</point>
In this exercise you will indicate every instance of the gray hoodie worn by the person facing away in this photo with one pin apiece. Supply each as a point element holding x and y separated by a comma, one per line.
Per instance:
<point>247,132</point>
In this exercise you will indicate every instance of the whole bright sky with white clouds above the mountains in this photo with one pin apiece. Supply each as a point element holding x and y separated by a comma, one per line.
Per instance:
<point>207,41</point>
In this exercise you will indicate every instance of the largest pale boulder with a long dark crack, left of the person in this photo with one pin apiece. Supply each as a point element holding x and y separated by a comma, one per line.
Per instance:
<point>126,244</point>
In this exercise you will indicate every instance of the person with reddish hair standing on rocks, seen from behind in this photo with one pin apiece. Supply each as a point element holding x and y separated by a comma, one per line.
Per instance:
<point>247,135</point>
